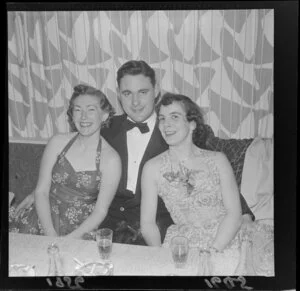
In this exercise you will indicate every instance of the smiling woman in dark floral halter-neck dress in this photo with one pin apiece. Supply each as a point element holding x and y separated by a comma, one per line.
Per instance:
<point>79,174</point>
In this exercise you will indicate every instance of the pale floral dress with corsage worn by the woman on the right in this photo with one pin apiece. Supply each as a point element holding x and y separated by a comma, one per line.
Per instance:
<point>194,200</point>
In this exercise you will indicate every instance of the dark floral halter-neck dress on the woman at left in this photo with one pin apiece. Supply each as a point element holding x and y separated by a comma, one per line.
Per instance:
<point>72,196</point>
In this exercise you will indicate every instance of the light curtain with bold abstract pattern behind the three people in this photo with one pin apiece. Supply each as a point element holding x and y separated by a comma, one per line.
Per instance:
<point>222,59</point>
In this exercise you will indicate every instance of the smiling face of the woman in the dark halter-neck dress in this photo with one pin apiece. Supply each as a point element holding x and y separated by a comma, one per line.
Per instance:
<point>87,114</point>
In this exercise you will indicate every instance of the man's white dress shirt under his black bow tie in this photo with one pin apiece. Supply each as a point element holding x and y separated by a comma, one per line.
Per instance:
<point>137,143</point>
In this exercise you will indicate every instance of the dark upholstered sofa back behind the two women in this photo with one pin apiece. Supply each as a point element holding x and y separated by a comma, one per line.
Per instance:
<point>25,158</point>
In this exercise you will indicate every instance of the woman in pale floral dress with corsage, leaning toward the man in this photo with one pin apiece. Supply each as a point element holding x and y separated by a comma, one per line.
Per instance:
<point>199,190</point>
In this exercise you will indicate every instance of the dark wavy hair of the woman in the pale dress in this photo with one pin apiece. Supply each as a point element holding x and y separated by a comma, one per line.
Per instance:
<point>193,113</point>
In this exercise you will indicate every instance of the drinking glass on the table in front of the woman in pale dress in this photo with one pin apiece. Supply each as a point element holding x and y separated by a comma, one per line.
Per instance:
<point>180,251</point>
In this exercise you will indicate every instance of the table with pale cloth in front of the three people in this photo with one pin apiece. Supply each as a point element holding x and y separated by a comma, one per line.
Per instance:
<point>128,260</point>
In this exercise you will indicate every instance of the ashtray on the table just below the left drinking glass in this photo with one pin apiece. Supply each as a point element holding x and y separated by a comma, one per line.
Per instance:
<point>94,269</point>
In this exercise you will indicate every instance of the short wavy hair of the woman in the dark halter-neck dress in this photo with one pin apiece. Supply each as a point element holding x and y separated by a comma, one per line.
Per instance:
<point>83,89</point>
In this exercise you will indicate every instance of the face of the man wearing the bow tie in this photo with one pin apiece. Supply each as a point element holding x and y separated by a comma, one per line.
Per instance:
<point>137,96</point>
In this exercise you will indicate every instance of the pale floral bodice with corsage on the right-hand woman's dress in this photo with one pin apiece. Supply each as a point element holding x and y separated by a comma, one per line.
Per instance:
<point>192,196</point>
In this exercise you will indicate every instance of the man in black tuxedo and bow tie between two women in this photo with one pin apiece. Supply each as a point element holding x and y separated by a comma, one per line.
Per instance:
<point>136,137</point>
